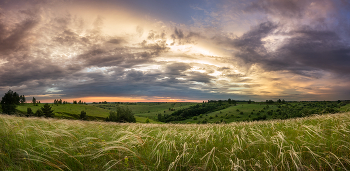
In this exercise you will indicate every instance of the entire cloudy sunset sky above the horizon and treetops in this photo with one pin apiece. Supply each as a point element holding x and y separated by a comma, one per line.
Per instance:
<point>165,51</point>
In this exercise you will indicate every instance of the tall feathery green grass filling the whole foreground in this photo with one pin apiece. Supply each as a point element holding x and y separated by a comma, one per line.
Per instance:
<point>314,143</point>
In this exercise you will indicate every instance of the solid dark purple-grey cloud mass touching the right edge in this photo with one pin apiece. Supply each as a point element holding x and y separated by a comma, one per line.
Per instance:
<point>313,50</point>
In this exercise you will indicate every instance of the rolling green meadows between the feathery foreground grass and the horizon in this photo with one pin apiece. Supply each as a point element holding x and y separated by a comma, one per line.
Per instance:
<point>234,113</point>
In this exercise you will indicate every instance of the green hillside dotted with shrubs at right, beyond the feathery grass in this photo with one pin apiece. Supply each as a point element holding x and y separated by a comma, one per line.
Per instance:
<point>262,111</point>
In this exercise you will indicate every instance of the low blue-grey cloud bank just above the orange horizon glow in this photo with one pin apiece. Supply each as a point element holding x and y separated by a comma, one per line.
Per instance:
<point>138,83</point>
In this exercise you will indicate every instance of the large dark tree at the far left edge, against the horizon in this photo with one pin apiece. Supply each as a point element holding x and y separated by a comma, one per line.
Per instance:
<point>9,102</point>
